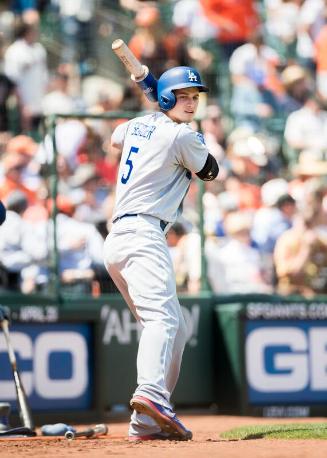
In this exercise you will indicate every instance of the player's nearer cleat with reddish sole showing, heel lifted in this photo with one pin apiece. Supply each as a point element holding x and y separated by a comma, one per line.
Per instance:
<point>164,417</point>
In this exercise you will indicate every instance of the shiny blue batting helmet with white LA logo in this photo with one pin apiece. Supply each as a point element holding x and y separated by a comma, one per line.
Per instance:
<point>177,78</point>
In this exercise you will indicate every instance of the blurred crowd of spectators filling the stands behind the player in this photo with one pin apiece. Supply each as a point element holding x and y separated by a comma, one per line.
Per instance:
<point>265,120</point>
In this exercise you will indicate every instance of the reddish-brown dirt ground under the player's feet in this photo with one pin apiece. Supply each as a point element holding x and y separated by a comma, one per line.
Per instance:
<point>206,443</point>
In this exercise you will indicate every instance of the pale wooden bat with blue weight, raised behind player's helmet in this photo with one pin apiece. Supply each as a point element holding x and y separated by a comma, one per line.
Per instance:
<point>140,74</point>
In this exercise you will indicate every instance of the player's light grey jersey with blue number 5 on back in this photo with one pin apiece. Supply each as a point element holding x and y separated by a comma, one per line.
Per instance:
<point>154,173</point>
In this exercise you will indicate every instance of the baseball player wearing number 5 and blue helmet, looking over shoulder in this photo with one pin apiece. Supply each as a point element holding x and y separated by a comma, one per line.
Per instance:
<point>159,154</point>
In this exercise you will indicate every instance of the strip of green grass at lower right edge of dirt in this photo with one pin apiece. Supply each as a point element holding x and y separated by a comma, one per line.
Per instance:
<point>286,431</point>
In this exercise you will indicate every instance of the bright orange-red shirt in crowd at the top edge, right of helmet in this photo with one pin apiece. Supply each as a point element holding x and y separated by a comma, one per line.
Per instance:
<point>236,19</point>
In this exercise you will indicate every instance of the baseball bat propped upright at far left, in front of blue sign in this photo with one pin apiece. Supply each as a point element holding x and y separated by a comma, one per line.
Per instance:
<point>24,409</point>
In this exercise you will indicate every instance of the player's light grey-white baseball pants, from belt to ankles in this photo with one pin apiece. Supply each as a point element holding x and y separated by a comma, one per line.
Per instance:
<point>137,259</point>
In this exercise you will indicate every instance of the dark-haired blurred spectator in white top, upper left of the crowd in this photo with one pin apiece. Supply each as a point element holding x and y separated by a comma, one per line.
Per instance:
<point>25,64</point>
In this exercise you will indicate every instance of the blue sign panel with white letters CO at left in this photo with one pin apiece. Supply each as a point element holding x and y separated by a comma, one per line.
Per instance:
<point>54,363</point>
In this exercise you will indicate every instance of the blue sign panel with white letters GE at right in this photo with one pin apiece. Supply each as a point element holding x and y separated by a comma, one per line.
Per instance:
<point>286,362</point>
